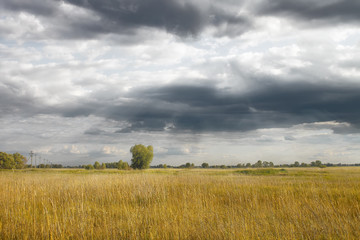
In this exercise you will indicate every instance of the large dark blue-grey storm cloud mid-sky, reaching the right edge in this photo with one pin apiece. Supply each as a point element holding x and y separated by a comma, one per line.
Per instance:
<point>197,109</point>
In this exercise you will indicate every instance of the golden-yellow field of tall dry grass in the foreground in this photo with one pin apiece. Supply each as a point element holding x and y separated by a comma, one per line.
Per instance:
<point>181,204</point>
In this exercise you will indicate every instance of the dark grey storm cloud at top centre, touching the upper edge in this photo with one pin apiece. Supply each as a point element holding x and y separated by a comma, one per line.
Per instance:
<point>183,18</point>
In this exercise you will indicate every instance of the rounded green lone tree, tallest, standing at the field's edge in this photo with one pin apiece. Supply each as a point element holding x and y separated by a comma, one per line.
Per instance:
<point>142,156</point>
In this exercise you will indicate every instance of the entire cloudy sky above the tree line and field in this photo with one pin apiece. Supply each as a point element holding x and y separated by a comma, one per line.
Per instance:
<point>222,82</point>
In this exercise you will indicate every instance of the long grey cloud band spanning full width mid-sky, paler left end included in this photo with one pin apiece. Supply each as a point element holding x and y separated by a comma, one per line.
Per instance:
<point>178,108</point>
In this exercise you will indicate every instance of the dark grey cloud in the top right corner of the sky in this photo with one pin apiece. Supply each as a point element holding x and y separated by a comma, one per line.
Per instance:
<point>308,10</point>
